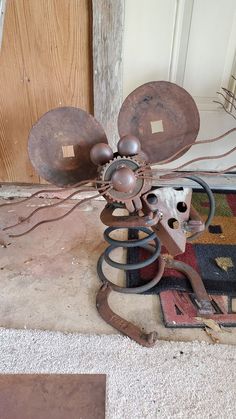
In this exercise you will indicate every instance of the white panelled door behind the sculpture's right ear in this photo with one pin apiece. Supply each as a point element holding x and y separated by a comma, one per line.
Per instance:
<point>192,43</point>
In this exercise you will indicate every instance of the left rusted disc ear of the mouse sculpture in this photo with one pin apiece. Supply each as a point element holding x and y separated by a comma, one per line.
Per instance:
<point>60,143</point>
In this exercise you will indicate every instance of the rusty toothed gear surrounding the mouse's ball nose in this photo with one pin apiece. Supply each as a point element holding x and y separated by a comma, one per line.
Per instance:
<point>130,199</point>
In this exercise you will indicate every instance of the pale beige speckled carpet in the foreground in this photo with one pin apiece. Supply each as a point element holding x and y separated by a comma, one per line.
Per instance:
<point>172,380</point>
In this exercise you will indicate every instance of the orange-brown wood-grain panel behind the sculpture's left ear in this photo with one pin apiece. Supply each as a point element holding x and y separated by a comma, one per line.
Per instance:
<point>45,63</point>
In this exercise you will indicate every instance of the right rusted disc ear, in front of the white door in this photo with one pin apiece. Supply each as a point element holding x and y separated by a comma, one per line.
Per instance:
<point>163,116</point>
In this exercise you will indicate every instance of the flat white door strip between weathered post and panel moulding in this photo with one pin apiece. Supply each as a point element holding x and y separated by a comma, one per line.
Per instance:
<point>147,41</point>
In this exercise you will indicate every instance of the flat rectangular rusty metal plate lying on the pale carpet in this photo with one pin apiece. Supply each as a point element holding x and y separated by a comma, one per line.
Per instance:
<point>51,396</point>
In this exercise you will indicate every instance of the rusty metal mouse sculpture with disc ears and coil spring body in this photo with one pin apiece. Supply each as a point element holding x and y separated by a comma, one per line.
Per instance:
<point>158,122</point>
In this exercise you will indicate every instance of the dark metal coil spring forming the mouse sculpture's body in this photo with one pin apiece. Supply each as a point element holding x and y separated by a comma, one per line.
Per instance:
<point>143,243</point>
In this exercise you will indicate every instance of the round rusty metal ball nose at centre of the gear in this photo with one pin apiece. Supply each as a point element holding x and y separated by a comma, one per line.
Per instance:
<point>123,180</point>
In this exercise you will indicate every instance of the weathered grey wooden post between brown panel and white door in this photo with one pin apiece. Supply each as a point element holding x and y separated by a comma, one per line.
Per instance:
<point>108,23</point>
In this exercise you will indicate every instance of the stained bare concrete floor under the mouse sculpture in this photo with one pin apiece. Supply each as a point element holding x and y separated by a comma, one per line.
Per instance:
<point>48,278</point>
